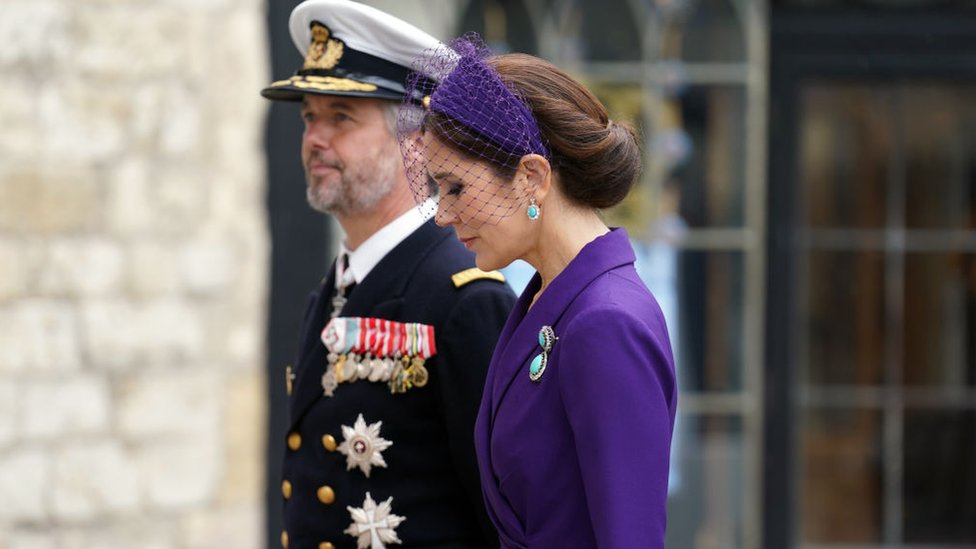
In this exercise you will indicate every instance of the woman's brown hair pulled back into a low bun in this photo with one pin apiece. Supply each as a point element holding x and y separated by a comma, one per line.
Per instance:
<point>597,159</point>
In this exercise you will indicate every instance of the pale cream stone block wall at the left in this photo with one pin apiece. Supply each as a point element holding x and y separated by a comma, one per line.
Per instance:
<point>133,260</point>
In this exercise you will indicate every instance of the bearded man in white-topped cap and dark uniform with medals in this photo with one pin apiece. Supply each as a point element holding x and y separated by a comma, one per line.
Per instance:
<point>396,341</point>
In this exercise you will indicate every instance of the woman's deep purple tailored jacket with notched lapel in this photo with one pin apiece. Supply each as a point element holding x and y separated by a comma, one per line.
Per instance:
<point>579,458</point>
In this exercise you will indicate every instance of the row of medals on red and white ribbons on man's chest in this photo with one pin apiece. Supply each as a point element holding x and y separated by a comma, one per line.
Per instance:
<point>377,350</point>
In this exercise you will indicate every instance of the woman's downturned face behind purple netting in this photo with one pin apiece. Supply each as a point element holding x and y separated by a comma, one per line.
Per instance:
<point>479,204</point>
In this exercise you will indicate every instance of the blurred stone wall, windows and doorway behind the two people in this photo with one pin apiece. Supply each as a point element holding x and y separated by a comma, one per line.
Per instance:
<point>806,217</point>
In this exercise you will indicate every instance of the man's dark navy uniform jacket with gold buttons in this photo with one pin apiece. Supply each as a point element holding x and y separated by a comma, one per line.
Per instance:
<point>431,471</point>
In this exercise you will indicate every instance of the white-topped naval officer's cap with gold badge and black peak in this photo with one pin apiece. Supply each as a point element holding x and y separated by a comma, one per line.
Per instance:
<point>349,49</point>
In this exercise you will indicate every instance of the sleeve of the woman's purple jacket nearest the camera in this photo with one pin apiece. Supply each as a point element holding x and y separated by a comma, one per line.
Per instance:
<point>616,376</point>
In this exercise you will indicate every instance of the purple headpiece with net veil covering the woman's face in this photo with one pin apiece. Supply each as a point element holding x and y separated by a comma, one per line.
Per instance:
<point>462,133</point>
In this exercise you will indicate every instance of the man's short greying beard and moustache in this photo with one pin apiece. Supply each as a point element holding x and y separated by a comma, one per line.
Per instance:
<point>351,191</point>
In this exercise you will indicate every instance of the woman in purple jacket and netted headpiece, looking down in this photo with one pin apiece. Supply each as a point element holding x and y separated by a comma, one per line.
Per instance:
<point>574,429</point>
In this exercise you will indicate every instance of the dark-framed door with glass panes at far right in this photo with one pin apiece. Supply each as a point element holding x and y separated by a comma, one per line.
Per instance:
<point>871,350</point>
